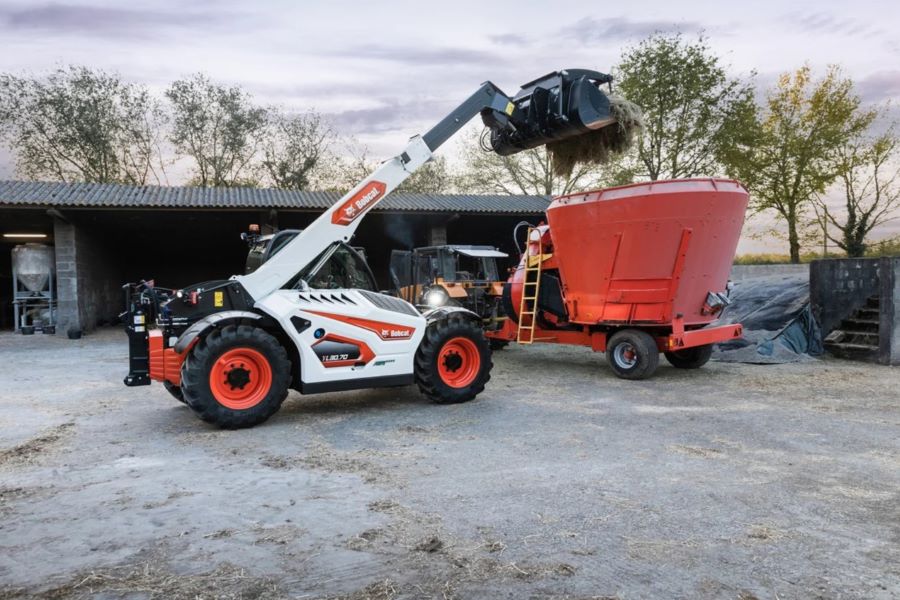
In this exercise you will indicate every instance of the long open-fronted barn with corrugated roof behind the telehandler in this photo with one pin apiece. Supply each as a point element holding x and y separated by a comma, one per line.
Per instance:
<point>105,235</point>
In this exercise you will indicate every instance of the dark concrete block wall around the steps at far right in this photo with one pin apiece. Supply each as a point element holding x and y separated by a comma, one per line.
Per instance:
<point>839,286</point>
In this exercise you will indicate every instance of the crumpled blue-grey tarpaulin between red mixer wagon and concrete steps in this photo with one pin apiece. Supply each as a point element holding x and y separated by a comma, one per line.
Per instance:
<point>779,326</point>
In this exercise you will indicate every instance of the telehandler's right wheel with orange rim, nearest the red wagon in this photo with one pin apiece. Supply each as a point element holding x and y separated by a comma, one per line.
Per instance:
<point>453,362</point>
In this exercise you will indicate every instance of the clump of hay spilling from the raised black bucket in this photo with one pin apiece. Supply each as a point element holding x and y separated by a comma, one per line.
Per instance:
<point>599,146</point>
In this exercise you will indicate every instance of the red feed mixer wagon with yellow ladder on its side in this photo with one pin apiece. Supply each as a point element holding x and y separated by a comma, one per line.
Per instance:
<point>632,271</point>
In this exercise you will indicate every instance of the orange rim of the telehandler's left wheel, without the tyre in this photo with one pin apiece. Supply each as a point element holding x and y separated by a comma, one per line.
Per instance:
<point>240,378</point>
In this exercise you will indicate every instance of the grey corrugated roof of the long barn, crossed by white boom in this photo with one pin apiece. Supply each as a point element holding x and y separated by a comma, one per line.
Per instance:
<point>109,195</point>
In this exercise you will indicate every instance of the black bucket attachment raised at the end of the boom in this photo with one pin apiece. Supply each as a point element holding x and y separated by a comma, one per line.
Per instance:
<point>555,107</point>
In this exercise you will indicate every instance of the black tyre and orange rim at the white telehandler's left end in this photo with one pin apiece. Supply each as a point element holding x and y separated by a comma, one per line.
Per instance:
<point>236,376</point>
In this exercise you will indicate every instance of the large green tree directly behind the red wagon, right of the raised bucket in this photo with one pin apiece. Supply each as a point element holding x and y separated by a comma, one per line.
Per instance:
<point>692,109</point>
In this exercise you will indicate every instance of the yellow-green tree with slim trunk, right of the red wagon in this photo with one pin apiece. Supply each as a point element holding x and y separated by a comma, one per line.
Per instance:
<point>792,156</point>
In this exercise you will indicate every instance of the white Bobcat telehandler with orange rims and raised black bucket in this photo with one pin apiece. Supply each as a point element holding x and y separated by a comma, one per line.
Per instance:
<point>231,348</point>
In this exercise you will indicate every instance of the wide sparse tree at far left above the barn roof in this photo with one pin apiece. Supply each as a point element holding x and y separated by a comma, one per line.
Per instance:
<point>77,124</point>
